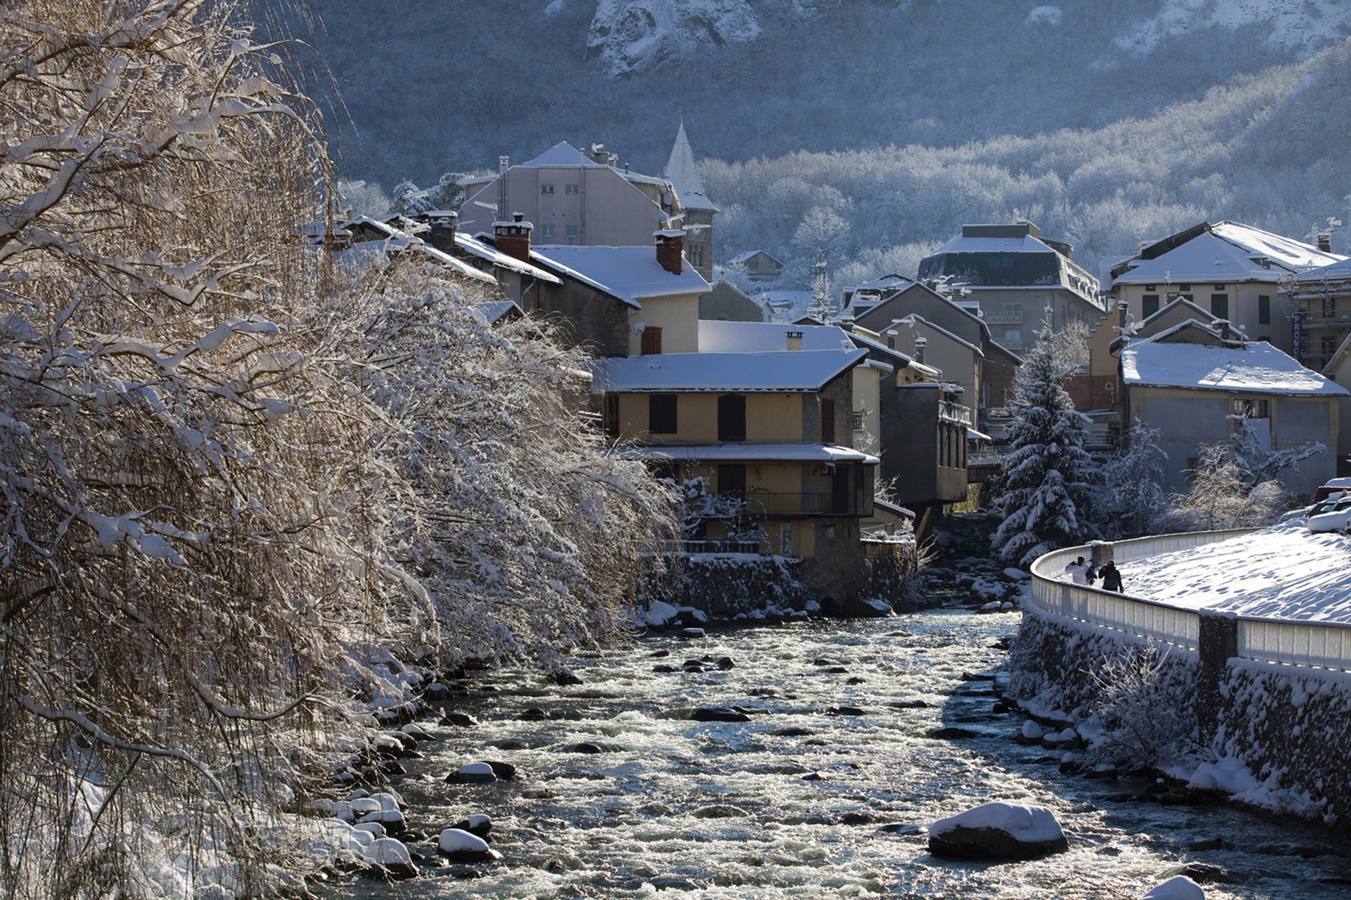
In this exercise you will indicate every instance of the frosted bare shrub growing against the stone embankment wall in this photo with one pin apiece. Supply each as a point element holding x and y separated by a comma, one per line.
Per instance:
<point>1144,707</point>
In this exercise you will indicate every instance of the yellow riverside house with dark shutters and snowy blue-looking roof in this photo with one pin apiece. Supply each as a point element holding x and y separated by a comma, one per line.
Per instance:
<point>769,434</point>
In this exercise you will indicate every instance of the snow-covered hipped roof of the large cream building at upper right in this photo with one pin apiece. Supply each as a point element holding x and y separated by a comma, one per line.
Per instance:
<point>1227,252</point>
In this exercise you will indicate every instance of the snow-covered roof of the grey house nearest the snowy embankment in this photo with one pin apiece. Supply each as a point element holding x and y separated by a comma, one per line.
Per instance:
<point>1257,368</point>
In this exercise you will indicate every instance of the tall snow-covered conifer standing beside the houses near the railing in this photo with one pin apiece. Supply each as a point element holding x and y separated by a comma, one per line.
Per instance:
<point>1046,480</point>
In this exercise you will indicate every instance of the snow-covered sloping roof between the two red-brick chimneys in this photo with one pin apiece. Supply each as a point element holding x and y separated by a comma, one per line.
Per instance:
<point>628,274</point>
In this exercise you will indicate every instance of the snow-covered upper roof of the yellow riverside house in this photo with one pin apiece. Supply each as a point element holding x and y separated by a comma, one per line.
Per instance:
<point>783,371</point>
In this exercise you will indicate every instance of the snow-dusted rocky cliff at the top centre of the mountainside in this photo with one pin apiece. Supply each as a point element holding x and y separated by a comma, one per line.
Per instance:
<point>632,37</point>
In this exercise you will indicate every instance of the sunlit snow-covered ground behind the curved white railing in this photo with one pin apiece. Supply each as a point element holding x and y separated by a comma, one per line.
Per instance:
<point>1283,572</point>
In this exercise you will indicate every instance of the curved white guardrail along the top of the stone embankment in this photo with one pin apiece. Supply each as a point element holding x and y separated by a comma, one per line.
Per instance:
<point>1323,645</point>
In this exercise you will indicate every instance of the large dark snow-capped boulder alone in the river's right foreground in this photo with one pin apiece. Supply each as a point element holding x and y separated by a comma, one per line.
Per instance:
<point>998,832</point>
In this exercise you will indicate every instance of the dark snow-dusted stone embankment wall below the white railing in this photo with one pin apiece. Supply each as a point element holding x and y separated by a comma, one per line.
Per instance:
<point>1288,728</point>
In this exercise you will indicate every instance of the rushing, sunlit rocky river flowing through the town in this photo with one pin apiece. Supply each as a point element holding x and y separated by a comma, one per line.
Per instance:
<point>734,810</point>
